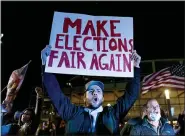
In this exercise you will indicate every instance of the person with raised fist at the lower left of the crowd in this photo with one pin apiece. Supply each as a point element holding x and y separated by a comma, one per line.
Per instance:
<point>28,120</point>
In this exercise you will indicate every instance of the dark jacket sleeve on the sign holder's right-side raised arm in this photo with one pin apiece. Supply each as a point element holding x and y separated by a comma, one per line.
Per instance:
<point>131,94</point>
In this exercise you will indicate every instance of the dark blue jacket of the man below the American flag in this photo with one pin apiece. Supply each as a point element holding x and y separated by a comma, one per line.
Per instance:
<point>145,129</point>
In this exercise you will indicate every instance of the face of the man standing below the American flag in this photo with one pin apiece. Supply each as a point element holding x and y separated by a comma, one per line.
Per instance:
<point>153,111</point>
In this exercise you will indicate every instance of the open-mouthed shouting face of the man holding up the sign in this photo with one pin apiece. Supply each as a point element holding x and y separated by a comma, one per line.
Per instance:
<point>94,97</point>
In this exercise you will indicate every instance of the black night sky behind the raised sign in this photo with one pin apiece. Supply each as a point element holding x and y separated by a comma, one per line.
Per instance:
<point>158,33</point>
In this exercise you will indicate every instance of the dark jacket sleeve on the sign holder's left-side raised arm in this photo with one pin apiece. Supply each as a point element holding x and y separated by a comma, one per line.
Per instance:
<point>62,103</point>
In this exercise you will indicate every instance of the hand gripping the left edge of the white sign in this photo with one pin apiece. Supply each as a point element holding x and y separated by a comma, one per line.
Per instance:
<point>45,53</point>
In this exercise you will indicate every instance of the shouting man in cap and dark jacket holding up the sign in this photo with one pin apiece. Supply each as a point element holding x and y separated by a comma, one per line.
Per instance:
<point>93,118</point>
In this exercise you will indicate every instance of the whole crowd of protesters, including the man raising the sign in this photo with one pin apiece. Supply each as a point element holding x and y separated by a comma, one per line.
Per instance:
<point>91,119</point>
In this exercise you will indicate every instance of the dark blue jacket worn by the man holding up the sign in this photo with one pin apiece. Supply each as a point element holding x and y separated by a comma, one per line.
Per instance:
<point>79,120</point>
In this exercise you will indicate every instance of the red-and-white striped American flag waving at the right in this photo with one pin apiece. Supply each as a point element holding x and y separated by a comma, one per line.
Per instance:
<point>171,77</point>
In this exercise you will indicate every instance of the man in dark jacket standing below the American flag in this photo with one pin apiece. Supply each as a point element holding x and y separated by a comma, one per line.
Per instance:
<point>152,124</point>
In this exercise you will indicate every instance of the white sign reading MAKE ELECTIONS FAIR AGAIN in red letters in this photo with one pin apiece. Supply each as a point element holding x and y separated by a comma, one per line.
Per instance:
<point>91,45</point>
